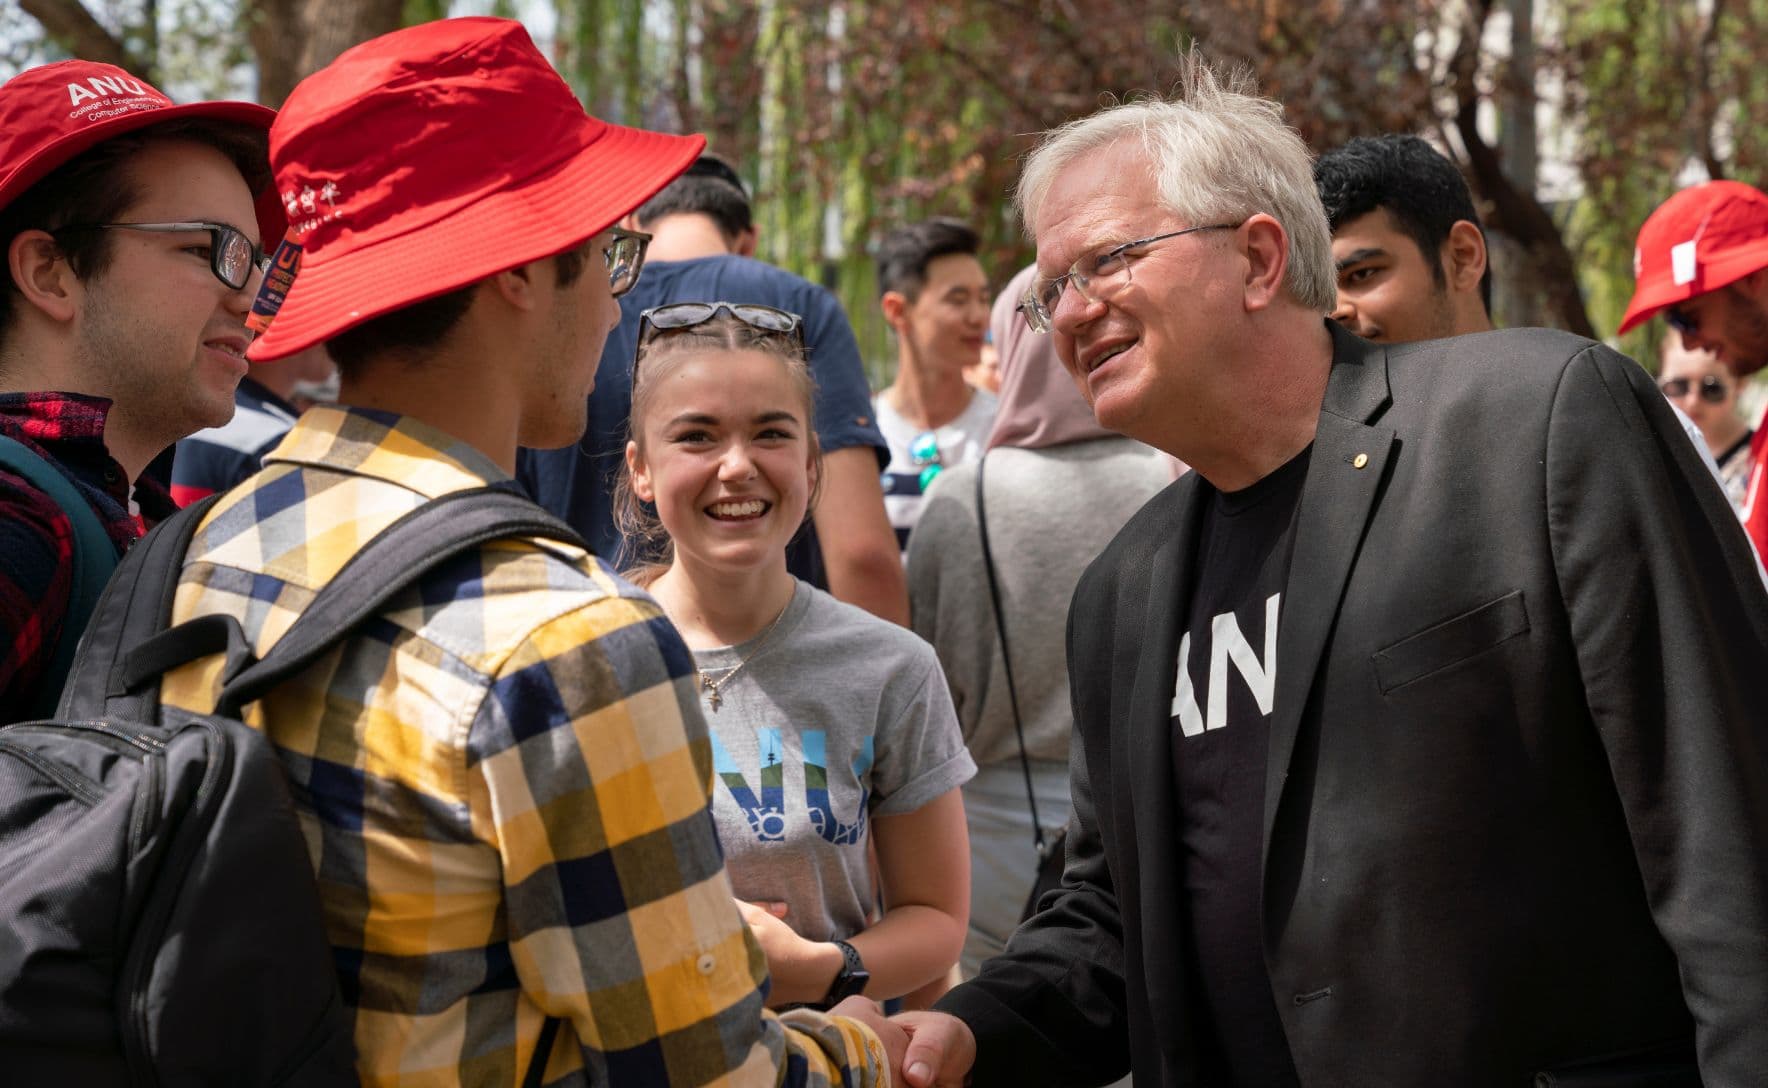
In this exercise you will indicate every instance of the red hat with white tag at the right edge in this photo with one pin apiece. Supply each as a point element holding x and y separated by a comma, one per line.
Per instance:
<point>1695,243</point>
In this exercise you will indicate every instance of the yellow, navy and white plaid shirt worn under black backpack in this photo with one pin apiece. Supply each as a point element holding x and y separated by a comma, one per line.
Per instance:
<point>505,786</point>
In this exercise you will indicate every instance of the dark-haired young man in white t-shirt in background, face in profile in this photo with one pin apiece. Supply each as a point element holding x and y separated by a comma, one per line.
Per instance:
<point>934,296</point>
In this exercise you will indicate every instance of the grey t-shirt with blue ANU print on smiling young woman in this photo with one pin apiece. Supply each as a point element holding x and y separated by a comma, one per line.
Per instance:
<point>837,717</point>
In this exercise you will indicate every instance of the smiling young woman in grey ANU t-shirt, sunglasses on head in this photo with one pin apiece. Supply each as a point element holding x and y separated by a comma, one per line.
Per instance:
<point>832,728</point>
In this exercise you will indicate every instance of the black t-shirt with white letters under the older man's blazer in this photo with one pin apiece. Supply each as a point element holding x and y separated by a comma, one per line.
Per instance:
<point>1221,726</point>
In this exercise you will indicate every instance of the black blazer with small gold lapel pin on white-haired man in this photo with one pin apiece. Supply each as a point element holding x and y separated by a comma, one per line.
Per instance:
<point>1518,788</point>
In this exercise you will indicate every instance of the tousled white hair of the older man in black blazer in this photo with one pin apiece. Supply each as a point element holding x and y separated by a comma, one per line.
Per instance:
<point>1219,153</point>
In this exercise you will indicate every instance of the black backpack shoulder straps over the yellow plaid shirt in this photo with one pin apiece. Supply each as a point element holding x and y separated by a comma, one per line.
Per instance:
<point>141,648</point>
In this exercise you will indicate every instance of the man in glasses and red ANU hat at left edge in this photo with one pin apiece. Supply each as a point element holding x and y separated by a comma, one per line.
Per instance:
<point>132,252</point>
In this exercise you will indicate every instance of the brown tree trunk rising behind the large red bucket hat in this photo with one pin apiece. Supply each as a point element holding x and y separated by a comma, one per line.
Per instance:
<point>298,38</point>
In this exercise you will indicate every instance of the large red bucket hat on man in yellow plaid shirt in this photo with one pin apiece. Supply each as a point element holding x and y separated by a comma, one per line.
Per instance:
<point>436,157</point>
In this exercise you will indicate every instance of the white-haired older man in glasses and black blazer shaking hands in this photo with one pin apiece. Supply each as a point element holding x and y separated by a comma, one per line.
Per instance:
<point>1422,732</point>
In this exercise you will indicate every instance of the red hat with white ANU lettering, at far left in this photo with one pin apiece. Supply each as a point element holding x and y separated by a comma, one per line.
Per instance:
<point>54,112</point>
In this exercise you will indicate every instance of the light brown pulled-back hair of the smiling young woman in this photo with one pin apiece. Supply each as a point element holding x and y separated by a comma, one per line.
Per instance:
<point>646,549</point>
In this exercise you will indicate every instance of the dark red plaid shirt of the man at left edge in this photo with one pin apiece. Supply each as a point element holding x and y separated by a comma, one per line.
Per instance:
<point>36,537</point>
